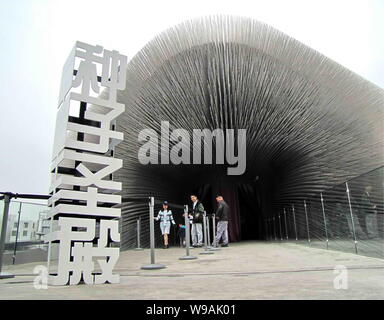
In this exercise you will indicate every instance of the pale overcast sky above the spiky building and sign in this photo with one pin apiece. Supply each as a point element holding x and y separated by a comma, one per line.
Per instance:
<point>36,37</point>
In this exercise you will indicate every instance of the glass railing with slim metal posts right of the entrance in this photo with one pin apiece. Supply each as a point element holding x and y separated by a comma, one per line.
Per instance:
<point>349,217</point>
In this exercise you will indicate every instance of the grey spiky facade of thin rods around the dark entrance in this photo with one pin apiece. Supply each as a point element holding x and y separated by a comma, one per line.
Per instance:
<point>311,123</point>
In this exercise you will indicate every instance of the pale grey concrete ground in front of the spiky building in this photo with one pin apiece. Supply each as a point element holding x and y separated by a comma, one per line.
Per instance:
<point>246,270</point>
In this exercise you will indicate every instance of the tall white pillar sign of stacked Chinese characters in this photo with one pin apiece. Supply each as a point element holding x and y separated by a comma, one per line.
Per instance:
<point>82,187</point>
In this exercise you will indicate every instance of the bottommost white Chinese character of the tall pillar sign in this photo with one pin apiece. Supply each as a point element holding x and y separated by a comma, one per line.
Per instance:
<point>77,253</point>
